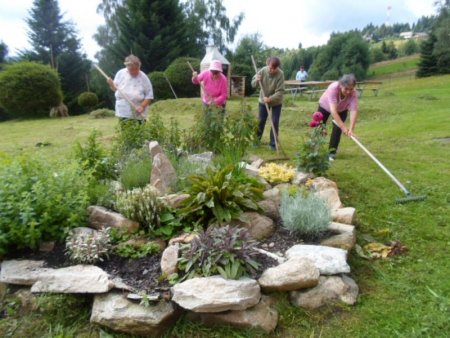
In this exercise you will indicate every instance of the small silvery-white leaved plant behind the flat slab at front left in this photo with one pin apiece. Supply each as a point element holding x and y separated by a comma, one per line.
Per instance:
<point>88,248</point>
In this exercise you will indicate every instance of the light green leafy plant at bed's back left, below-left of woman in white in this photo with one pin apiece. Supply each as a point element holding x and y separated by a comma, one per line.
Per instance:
<point>94,157</point>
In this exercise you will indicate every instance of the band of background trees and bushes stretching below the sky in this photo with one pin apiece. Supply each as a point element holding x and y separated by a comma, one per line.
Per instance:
<point>162,32</point>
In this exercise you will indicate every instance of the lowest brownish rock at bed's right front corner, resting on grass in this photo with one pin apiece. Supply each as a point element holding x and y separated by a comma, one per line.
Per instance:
<point>329,290</point>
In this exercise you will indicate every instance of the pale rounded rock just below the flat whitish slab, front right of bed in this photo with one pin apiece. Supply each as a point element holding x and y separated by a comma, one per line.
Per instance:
<point>296,273</point>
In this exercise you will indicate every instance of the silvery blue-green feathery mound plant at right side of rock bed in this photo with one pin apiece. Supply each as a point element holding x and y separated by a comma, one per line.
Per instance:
<point>304,213</point>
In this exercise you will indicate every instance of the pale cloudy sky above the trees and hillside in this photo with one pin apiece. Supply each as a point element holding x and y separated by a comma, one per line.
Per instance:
<point>281,23</point>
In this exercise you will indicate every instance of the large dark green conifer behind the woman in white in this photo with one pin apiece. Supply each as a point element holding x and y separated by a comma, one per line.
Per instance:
<point>154,30</point>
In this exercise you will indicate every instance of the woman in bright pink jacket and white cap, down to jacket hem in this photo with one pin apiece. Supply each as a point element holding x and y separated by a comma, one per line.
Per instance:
<point>214,85</point>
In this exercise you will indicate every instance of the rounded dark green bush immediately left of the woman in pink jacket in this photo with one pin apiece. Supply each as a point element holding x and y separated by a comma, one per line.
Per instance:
<point>180,76</point>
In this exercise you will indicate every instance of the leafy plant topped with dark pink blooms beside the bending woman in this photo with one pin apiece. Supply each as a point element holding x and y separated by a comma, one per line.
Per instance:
<point>313,154</point>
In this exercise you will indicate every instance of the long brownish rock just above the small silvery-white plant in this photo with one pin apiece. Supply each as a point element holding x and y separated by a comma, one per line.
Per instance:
<point>100,217</point>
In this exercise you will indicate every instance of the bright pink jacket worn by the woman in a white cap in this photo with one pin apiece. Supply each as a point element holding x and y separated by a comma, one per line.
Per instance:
<point>215,89</point>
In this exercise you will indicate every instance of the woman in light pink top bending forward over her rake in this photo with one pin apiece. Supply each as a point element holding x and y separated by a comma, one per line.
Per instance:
<point>340,98</point>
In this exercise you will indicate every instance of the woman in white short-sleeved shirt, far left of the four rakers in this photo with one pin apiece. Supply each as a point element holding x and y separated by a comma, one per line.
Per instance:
<point>133,91</point>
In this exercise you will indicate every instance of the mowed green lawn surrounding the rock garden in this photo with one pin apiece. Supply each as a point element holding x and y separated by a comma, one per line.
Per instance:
<point>407,127</point>
